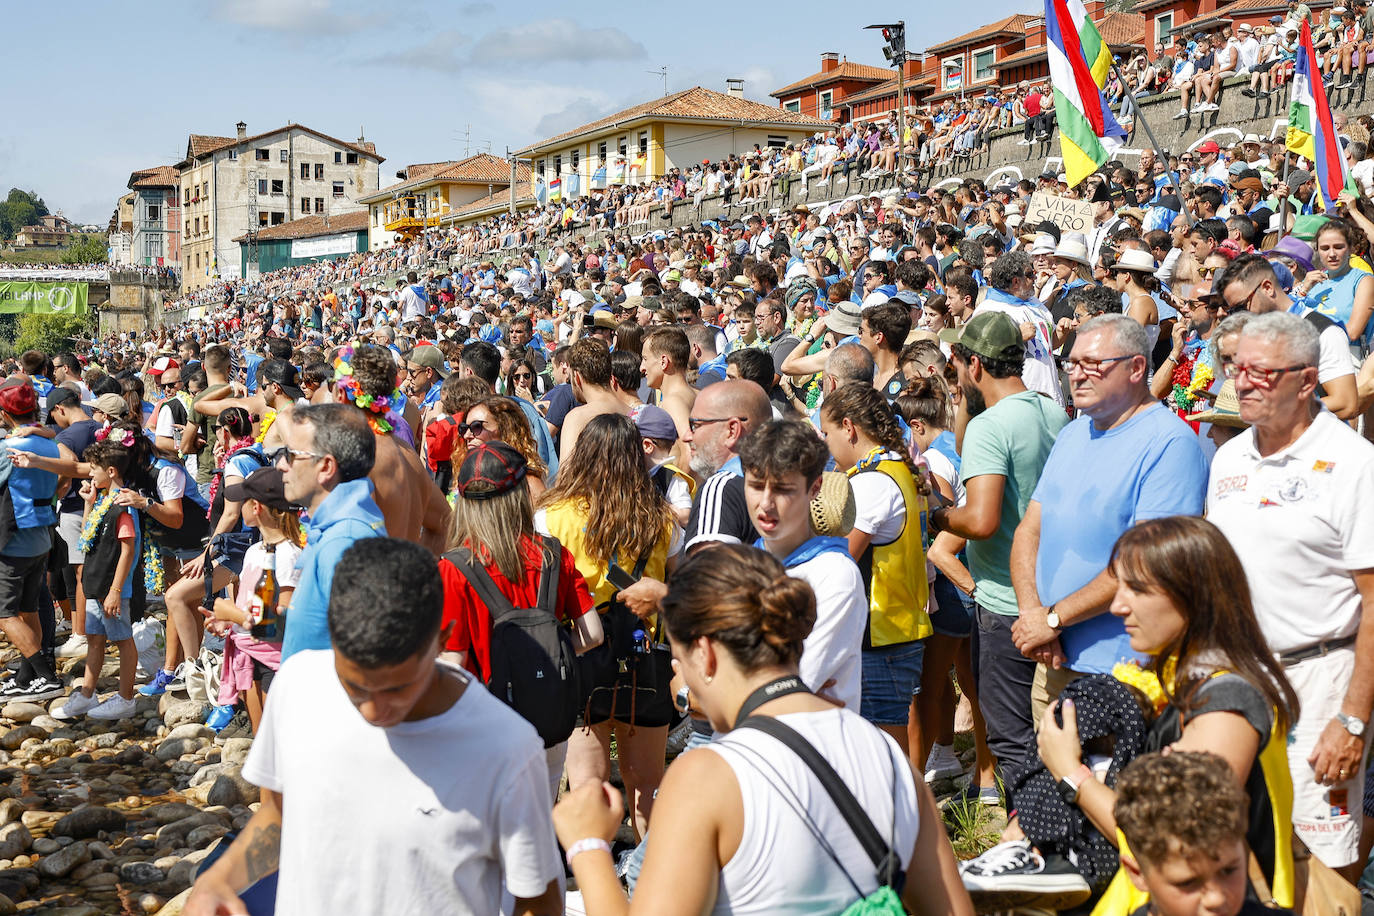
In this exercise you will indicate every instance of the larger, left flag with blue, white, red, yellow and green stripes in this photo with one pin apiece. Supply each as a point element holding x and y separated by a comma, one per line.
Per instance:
<point>1079,65</point>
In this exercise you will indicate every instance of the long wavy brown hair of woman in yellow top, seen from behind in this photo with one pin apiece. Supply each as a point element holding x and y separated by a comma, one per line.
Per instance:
<point>605,474</point>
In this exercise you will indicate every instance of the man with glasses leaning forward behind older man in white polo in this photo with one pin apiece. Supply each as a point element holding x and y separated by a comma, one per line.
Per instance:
<point>1251,285</point>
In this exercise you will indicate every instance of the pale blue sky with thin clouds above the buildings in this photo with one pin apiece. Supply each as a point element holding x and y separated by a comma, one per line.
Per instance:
<point>119,87</point>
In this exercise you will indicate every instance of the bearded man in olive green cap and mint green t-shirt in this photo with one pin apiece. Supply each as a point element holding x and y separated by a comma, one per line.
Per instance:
<point>1009,436</point>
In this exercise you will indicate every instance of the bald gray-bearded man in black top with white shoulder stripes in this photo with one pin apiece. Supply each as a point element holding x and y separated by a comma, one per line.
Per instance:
<point>721,418</point>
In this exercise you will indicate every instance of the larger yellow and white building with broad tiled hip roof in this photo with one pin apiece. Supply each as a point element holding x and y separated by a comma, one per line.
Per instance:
<point>682,130</point>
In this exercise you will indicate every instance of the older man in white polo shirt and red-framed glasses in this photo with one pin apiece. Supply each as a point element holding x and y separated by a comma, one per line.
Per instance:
<point>1295,495</point>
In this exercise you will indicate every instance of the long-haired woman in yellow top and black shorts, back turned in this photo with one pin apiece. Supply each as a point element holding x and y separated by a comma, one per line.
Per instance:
<point>608,513</point>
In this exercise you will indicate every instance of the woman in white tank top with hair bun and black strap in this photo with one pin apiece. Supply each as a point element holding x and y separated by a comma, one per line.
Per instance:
<point>744,826</point>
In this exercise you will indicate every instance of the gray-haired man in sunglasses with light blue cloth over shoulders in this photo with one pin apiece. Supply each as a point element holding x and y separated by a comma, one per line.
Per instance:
<point>325,463</point>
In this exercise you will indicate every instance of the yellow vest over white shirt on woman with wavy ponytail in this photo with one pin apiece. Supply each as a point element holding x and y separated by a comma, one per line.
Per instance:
<point>897,572</point>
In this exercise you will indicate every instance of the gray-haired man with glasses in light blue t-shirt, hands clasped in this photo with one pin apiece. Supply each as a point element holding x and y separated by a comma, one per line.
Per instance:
<point>1125,461</point>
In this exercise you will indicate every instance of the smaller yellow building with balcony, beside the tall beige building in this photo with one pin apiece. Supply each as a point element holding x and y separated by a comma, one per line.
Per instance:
<point>432,192</point>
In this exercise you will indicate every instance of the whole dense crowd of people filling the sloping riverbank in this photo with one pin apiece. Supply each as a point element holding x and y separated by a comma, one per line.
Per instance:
<point>745,509</point>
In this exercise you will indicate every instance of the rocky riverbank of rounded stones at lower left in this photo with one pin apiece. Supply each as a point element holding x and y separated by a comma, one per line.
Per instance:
<point>113,818</point>
